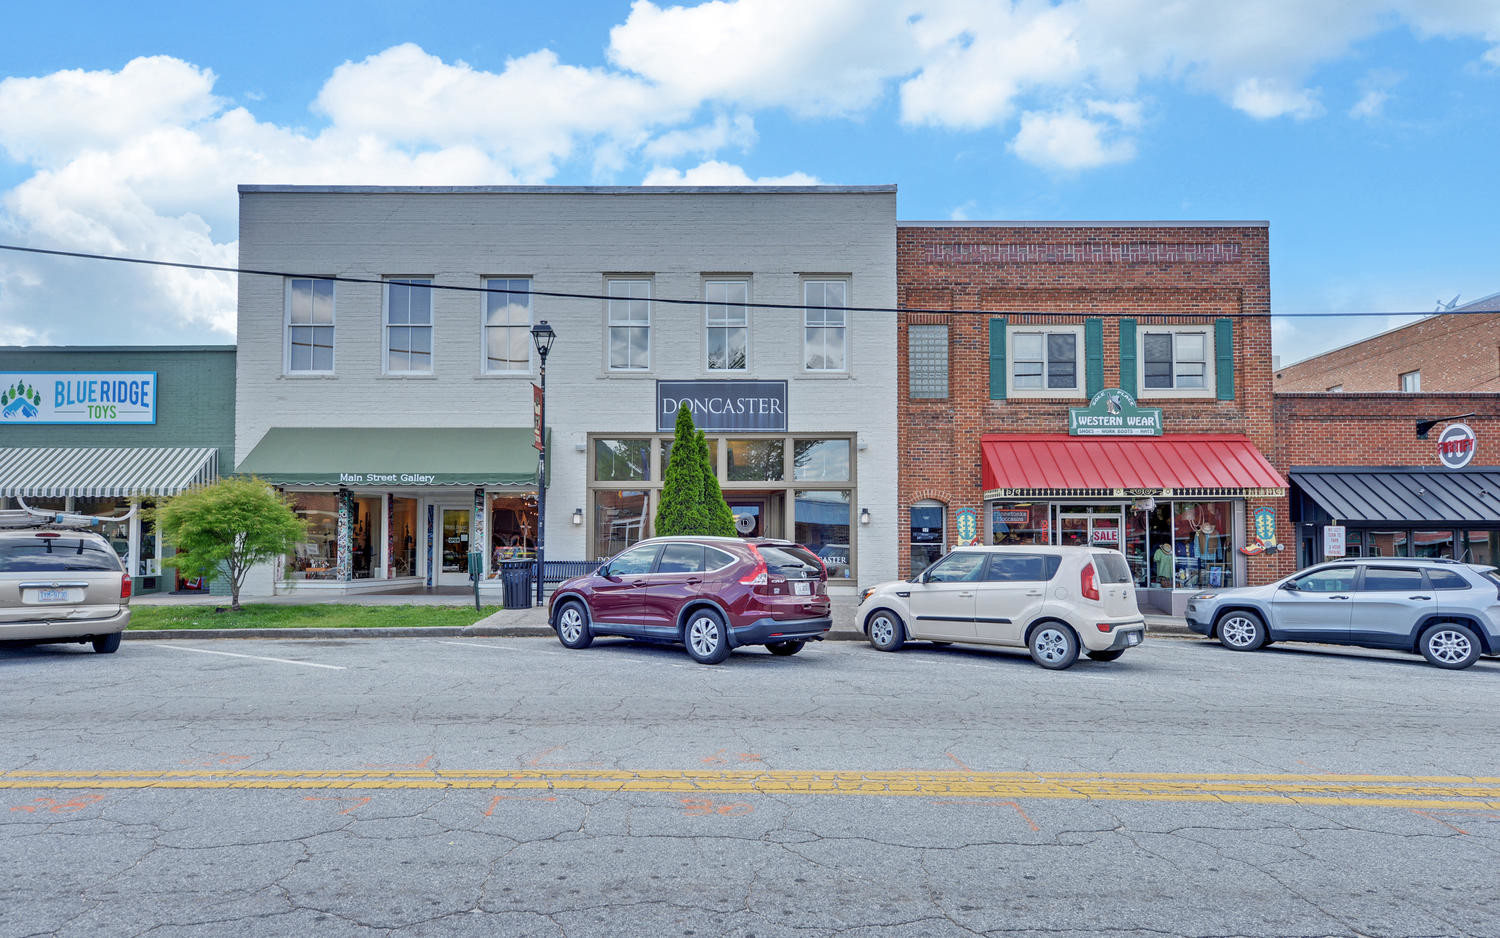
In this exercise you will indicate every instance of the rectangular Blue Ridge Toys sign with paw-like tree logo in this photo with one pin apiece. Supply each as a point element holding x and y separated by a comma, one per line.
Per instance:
<point>104,397</point>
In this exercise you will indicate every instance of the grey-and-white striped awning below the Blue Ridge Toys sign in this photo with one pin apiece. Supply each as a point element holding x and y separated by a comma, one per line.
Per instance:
<point>85,472</point>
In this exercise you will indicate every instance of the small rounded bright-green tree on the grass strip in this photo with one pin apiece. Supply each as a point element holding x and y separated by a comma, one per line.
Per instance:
<point>227,529</point>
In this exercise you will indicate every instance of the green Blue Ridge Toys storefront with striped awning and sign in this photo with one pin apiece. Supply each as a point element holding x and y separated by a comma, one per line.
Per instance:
<point>103,430</point>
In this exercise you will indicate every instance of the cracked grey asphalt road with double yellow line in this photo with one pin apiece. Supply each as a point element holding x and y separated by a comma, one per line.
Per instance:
<point>511,787</point>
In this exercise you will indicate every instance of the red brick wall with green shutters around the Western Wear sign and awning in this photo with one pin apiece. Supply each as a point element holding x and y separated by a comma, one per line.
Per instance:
<point>1088,278</point>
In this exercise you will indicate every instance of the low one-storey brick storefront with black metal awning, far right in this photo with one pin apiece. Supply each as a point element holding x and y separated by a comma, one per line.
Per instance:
<point>1355,461</point>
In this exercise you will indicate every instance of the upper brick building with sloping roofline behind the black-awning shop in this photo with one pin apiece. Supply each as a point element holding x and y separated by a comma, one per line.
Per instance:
<point>1453,352</point>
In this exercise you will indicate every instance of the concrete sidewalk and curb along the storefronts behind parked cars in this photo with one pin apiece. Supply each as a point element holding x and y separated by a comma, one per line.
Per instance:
<point>505,624</point>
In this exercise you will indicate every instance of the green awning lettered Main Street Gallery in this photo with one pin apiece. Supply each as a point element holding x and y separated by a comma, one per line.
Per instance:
<point>395,457</point>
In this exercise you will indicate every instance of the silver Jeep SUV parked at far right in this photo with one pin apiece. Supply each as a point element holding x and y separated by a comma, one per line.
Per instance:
<point>1444,610</point>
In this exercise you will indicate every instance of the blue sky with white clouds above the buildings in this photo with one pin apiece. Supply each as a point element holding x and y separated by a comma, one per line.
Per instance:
<point>1364,133</point>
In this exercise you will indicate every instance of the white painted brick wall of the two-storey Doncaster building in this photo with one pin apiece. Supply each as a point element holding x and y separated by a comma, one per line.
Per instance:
<point>569,241</point>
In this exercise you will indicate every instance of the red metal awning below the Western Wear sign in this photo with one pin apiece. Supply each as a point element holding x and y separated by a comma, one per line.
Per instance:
<point>1031,466</point>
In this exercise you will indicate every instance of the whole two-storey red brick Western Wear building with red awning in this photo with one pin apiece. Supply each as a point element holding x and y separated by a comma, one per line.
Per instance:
<point>1034,359</point>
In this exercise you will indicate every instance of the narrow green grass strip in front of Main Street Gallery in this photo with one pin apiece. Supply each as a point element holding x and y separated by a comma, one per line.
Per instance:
<point>325,616</point>
